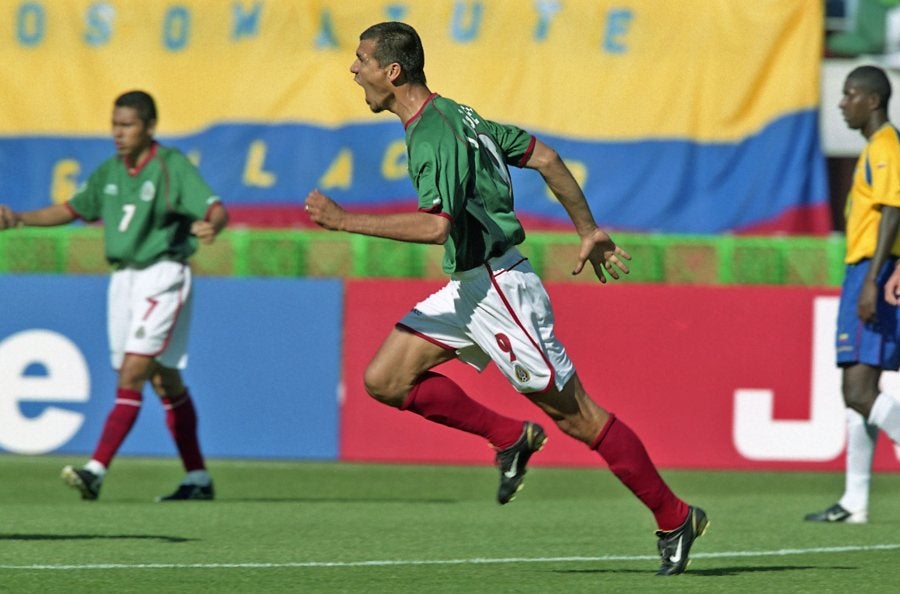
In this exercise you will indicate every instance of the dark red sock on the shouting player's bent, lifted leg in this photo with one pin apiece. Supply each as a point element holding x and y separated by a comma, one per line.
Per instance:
<point>440,400</point>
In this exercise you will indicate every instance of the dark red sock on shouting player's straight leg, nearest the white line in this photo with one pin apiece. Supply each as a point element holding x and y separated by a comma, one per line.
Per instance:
<point>628,460</point>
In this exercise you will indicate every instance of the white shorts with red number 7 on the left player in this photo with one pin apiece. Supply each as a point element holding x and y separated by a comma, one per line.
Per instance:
<point>149,312</point>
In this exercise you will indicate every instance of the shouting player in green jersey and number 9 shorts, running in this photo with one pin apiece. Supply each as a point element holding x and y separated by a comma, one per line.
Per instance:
<point>494,307</point>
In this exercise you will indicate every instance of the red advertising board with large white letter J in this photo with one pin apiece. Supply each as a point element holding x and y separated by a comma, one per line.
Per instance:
<point>709,377</point>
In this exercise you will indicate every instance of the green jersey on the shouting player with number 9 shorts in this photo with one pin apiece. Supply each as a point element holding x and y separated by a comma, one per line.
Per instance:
<point>458,163</point>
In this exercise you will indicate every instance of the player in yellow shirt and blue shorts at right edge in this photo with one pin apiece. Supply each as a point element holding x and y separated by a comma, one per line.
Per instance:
<point>868,328</point>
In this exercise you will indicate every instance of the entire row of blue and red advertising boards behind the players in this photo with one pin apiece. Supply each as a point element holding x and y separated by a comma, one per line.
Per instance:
<point>710,376</point>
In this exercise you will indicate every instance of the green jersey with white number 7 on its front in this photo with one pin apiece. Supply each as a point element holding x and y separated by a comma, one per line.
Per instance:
<point>147,212</point>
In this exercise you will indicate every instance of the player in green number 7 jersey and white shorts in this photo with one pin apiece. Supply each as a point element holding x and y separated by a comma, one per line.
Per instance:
<point>155,207</point>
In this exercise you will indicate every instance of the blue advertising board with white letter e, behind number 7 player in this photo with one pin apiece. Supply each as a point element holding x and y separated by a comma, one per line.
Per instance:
<point>264,368</point>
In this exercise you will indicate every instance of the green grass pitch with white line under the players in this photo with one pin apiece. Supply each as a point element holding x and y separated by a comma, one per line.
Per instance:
<point>334,527</point>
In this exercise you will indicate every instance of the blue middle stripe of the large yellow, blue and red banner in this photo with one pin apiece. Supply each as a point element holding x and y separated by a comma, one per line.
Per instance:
<point>670,185</point>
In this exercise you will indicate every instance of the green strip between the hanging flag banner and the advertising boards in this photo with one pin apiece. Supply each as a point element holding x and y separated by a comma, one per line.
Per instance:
<point>721,259</point>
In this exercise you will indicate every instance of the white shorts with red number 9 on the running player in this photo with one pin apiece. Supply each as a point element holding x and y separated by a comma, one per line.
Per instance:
<point>497,312</point>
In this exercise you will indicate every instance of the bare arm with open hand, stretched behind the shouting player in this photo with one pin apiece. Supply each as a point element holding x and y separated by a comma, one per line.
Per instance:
<point>597,247</point>
